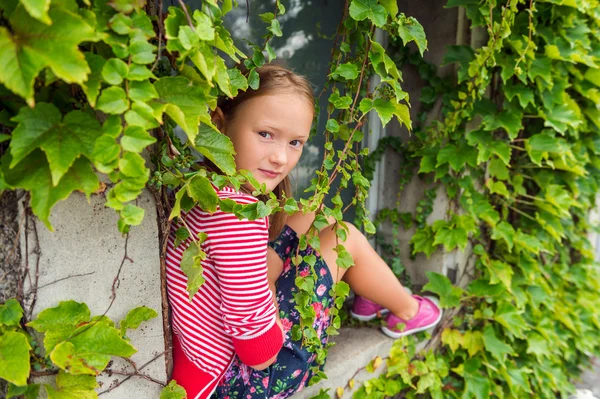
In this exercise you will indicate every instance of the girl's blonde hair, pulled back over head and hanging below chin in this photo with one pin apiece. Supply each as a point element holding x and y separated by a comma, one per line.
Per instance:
<point>273,78</point>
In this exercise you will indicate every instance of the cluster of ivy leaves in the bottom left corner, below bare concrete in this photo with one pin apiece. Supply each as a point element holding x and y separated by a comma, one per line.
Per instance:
<point>75,345</point>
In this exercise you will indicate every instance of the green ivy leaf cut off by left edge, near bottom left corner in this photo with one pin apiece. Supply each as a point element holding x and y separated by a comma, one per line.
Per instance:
<point>14,352</point>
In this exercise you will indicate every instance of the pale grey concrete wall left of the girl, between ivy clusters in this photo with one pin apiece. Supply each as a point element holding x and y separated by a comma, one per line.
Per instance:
<point>80,261</point>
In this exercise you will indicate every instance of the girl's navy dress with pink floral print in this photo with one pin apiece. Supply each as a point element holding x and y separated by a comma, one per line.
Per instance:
<point>292,370</point>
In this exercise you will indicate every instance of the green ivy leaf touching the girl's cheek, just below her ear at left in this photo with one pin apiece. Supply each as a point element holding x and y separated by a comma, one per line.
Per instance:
<point>217,148</point>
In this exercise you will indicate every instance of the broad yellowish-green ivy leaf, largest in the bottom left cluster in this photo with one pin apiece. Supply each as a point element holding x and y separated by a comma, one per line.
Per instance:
<point>89,349</point>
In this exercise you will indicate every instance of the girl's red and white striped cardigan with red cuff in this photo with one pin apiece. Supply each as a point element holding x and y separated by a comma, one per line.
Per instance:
<point>233,312</point>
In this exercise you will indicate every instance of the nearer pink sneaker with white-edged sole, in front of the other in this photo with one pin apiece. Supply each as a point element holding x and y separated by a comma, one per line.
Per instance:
<point>428,316</point>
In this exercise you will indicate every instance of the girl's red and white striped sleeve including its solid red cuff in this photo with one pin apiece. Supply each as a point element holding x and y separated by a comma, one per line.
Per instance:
<point>238,249</point>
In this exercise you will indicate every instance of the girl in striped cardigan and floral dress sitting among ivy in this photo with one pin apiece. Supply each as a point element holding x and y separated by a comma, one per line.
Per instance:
<point>233,340</point>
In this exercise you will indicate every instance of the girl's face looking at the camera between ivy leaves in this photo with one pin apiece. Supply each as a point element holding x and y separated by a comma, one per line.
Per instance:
<point>268,133</point>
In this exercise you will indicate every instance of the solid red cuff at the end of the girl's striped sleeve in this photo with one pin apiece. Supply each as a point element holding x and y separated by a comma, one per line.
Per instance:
<point>260,349</point>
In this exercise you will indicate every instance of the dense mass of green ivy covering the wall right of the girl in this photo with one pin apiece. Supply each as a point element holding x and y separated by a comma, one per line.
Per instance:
<point>516,150</point>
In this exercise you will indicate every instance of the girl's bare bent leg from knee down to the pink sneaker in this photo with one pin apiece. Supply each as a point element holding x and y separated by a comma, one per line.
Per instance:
<point>370,277</point>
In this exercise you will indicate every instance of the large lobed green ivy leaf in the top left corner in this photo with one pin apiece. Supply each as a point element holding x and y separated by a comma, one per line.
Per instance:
<point>23,53</point>
